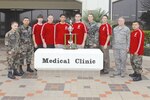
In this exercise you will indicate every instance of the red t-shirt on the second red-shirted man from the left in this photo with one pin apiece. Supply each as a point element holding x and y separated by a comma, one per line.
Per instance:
<point>48,33</point>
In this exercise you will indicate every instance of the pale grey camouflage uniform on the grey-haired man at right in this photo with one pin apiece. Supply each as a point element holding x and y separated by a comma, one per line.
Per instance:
<point>120,43</point>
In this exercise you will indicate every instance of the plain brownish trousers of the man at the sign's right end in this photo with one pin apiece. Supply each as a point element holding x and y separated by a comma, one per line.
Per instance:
<point>106,59</point>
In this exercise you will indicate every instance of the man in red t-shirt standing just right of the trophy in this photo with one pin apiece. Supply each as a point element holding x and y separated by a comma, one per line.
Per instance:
<point>80,30</point>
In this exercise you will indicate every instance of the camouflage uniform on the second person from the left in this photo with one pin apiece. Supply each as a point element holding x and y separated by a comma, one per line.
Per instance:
<point>26,44</point>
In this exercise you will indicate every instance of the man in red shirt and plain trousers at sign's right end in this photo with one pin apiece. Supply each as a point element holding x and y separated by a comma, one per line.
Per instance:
<point>105,32</point>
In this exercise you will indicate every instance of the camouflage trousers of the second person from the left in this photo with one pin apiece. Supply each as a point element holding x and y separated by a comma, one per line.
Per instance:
<point>26,53</point>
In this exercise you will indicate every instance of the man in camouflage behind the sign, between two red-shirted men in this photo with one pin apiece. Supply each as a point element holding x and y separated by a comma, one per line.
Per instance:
<point>92,37</point>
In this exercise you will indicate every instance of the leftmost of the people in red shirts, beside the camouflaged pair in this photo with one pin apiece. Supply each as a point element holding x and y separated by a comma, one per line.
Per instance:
<point>36,31</point>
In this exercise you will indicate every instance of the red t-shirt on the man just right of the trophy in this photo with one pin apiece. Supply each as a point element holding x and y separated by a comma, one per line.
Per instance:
<point>80,30</point>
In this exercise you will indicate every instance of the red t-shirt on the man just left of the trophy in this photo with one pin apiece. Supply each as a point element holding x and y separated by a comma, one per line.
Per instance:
<point>60,31</point>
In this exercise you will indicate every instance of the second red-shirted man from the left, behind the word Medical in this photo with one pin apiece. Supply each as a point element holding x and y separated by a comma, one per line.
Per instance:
<point>47,33</point>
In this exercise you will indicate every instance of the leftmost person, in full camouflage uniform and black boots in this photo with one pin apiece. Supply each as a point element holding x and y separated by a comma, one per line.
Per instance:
<point>12,40</point>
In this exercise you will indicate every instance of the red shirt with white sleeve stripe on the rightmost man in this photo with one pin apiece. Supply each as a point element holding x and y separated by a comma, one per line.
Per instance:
<point>137,42</point>
